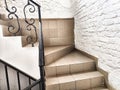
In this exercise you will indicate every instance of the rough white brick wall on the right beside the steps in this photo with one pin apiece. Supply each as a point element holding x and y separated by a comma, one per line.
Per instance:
<point>97,31</point>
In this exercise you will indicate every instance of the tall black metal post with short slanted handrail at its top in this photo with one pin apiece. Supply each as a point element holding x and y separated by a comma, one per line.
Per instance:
<point>41,48</point>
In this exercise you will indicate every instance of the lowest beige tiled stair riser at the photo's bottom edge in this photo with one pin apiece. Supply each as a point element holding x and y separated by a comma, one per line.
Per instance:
<point>78,84</point>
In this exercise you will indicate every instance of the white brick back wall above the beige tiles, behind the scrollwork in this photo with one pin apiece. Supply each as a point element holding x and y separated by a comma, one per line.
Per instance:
<point>50,8</point>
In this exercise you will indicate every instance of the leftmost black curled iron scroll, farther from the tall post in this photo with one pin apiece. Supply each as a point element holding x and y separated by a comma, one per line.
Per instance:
<point>12,13</point>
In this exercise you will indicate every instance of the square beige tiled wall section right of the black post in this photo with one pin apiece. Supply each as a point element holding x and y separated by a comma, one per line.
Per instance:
<point>58,31</point>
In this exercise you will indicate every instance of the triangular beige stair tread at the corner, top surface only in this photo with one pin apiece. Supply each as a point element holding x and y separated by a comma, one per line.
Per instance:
<point>74,57</point>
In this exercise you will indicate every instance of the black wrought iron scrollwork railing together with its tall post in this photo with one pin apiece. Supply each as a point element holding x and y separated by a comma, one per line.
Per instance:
<point>30,26</point>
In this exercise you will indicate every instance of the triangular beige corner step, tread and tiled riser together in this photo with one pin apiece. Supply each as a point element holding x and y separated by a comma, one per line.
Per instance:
<point>73,62</point>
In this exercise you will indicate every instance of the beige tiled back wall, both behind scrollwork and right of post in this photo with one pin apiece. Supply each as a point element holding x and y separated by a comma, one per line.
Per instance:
<point>55,31</point>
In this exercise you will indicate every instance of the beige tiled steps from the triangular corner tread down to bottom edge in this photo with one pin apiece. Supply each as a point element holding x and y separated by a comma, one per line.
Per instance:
<point>74,71</point>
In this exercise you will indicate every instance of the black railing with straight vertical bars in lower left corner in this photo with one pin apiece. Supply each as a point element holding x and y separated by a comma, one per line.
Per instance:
<point>7,68</point>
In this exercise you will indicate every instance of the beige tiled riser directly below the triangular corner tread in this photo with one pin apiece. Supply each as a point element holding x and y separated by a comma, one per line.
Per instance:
<point>70,69</point>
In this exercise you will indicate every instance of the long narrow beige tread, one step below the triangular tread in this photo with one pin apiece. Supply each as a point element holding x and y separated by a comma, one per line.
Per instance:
<point>72,77</point>
